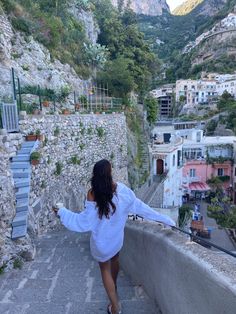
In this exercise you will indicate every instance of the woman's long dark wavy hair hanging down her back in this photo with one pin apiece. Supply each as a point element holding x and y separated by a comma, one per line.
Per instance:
<point>103,188</point>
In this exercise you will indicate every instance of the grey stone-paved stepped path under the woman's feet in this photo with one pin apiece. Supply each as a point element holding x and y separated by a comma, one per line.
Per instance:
<point>64,279</point>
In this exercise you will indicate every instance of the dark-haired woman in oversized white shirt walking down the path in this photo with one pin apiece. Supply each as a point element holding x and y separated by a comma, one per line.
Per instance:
<point>106,210</point>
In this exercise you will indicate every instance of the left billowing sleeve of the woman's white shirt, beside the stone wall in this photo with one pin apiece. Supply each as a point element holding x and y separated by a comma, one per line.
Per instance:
<point>80,222</point>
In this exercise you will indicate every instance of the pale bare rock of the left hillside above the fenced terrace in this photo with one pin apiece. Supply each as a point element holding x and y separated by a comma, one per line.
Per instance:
<point>32,61</point>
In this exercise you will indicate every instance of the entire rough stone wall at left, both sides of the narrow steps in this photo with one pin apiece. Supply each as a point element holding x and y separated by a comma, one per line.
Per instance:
<point>71,145</point>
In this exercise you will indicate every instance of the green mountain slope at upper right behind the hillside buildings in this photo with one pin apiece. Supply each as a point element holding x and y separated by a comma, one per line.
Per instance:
<point>169,34</point>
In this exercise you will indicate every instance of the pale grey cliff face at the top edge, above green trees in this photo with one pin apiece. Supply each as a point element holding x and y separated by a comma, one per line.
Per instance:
<point>148,7</point>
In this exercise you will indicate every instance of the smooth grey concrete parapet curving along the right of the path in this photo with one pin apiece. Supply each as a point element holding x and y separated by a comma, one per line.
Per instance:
<point>180,276</point>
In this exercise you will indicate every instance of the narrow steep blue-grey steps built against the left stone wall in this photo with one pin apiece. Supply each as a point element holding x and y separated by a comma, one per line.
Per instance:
<point>21,172</point>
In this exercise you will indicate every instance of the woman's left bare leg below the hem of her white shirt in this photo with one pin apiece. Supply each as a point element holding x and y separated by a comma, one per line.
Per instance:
<point>109,285</point>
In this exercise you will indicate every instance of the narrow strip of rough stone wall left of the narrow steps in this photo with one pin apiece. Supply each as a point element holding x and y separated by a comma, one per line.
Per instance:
<point>9,250</point>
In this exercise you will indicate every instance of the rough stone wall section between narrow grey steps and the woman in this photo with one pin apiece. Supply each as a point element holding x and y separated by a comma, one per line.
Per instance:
<point>71,146</point>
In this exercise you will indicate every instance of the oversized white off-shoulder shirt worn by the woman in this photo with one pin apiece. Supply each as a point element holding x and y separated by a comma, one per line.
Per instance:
<point>107,235</point>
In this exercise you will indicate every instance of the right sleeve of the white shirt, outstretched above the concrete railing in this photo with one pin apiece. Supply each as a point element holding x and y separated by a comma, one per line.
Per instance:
<point>140,208</point>
